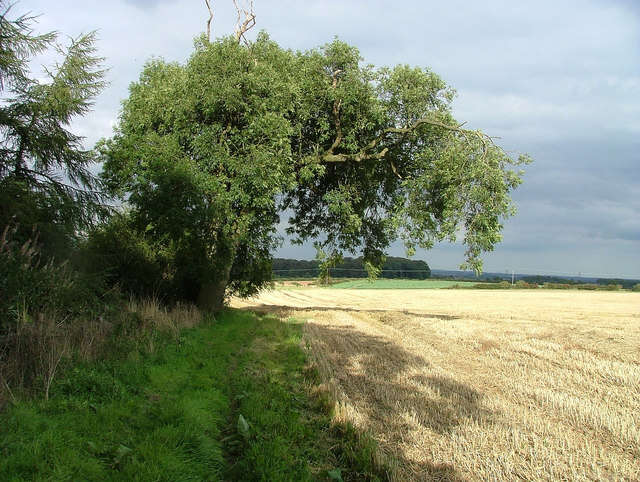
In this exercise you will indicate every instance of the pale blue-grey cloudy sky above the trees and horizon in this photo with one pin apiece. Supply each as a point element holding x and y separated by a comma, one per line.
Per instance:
<point>557,79</point>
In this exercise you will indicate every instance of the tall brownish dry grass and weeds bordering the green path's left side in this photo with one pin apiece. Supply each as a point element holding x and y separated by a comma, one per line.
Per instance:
<point>51,314</point>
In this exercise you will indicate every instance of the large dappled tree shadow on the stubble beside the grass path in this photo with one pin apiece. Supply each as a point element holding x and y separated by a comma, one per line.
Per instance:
<point>400,406</point>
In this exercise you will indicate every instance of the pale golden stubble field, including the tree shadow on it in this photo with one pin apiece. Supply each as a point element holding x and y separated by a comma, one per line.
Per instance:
<point>460,384</point>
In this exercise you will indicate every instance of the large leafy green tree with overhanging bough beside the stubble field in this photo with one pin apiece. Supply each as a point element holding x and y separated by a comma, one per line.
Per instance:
<point>207,154</point>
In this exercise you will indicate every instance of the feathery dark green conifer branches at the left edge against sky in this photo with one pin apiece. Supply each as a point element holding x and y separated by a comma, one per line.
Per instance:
<point>45,180</point>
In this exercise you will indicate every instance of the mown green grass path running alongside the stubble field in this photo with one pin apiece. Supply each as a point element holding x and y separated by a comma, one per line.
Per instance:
<point>227,400</point>
